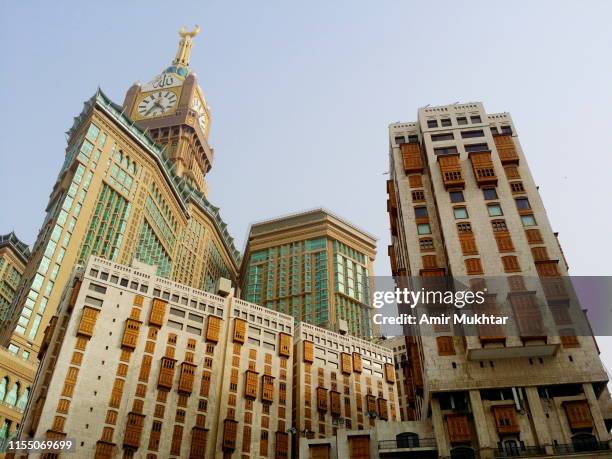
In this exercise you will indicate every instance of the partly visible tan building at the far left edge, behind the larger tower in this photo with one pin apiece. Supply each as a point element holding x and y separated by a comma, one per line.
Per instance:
<point>14,256</point>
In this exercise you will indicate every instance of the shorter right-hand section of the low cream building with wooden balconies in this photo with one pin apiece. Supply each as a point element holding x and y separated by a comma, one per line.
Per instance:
<point>340,381</point>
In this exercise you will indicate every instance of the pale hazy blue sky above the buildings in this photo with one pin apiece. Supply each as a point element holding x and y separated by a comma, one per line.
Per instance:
<point>302,94</point>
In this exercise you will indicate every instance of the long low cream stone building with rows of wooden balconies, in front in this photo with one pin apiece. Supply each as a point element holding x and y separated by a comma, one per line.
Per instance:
<point>135,365</point>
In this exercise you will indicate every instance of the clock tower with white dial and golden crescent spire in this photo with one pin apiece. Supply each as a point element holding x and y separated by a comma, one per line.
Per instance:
<point>173,110</point>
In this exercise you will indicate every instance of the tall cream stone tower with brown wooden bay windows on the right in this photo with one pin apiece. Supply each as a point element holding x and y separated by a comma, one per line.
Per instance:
<point>463,203</point>
